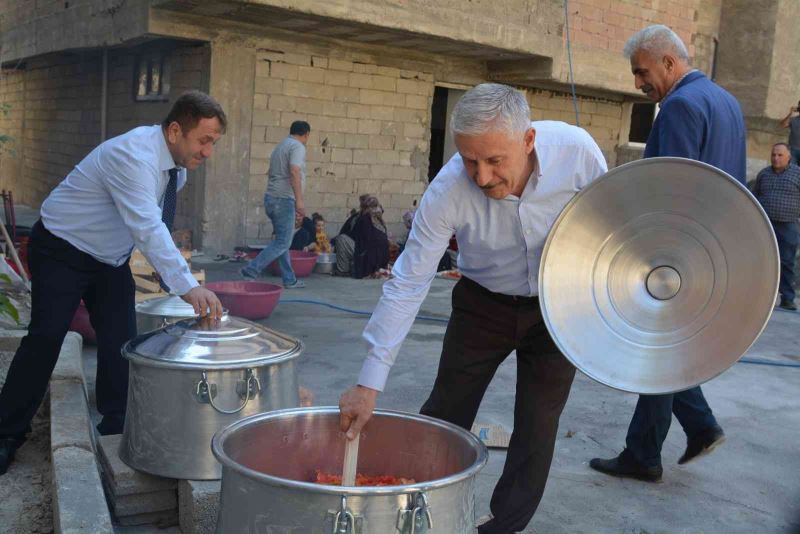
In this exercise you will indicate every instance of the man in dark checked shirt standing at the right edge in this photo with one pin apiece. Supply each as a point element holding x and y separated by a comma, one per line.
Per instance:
<point>777,188</point>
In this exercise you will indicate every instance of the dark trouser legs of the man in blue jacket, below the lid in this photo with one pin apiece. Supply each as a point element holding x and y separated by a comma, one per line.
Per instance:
<point>653,416</point>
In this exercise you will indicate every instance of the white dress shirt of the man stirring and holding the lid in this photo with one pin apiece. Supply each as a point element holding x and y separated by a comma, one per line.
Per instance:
<point>500,242</point>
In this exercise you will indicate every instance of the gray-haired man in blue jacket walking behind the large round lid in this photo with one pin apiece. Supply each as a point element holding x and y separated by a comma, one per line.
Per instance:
<point>698,120</point>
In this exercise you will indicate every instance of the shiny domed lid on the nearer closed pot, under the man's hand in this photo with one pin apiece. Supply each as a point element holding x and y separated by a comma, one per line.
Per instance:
<point>227,343</point>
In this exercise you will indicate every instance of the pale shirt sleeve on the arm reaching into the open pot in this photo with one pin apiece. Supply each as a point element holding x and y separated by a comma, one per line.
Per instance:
<point>404,293</point>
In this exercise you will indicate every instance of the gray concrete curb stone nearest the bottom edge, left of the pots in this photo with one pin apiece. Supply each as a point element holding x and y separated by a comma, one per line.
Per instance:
<point>78,501</point>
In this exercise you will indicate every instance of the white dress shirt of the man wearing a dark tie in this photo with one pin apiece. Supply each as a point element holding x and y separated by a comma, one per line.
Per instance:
<point>111,202</point>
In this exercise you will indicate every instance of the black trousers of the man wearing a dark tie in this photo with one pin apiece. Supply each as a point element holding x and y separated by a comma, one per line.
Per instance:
<point>62,275</point>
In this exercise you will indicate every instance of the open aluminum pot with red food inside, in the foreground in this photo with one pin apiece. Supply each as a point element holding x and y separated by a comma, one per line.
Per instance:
<point>270,459</point>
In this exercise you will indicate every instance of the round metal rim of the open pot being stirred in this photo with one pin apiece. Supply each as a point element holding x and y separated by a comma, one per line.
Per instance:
<point>219,452</point>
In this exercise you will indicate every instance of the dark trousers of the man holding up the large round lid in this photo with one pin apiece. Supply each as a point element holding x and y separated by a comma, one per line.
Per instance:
<point>483,329</point>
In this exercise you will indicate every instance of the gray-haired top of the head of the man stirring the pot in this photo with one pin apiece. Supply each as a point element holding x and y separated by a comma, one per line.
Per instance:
<point>491,107</point>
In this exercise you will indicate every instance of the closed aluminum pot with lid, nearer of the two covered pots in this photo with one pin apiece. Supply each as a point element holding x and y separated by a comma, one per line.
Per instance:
<point>190,379</point>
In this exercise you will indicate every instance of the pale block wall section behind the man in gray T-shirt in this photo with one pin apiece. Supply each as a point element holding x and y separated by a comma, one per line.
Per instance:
<point>370,132</point>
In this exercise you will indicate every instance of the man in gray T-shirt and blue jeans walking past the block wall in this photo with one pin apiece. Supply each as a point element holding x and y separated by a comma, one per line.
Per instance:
<point>282,202</point>
